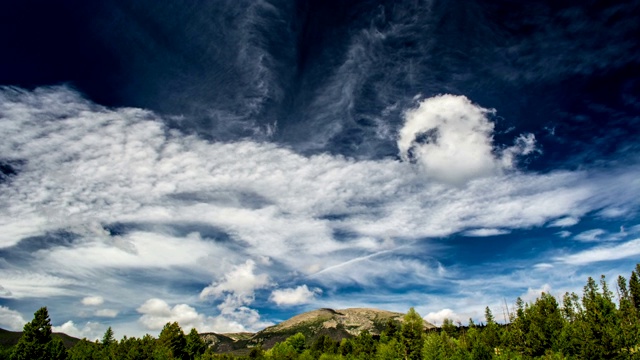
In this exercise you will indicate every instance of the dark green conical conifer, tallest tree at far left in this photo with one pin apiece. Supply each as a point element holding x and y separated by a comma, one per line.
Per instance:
<point>36,339</point>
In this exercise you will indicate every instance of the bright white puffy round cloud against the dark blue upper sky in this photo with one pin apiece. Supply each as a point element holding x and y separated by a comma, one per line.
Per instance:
<point>452,139</point>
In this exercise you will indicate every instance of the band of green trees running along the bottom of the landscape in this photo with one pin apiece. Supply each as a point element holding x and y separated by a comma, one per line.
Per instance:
<point>593,326</point>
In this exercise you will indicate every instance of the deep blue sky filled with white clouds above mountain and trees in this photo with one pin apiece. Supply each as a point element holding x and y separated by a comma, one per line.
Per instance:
<point>228,164</point>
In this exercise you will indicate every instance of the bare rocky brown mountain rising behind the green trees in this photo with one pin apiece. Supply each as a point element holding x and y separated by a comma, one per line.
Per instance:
<point>337,324</point>
